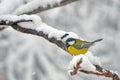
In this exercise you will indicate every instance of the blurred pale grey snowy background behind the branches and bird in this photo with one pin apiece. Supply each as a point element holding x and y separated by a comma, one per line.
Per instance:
<point>28,57</point>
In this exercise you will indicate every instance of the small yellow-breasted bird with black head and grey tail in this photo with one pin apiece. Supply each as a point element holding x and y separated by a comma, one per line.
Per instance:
<point>75,46</point>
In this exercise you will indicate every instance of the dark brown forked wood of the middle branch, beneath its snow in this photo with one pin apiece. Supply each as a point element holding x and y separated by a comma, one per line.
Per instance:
<point>33,32</point>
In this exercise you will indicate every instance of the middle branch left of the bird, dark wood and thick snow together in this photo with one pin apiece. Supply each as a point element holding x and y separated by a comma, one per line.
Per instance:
<point>51,34</point>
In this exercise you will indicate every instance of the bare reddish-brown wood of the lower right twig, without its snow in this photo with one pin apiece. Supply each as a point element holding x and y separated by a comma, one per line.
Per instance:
<point>101,71</point>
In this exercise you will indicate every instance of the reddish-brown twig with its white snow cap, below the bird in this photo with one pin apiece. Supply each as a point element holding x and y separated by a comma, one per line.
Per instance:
<point>82,64</point>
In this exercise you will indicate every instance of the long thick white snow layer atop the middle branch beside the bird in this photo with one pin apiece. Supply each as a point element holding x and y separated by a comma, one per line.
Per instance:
<point>38,25</point>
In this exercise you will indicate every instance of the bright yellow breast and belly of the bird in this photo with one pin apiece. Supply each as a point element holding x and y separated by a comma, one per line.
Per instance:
<point>74,51</point>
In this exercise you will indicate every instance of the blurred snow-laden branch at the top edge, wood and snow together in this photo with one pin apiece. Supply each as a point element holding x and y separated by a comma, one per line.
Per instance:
<point>37,6</point>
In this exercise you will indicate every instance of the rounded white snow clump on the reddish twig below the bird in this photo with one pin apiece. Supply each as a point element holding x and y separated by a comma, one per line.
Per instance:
<point>87,62</point>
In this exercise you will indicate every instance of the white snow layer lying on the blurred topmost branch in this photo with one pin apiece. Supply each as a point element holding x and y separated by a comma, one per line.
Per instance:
<point>34,5</point>
